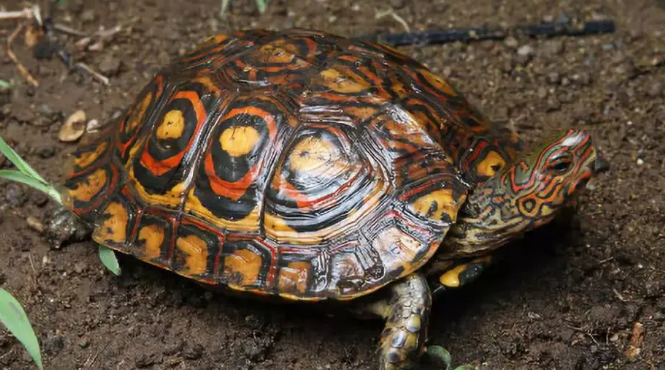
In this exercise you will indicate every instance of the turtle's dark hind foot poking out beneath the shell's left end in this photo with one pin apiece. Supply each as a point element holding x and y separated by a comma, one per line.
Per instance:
<point>62,227</point>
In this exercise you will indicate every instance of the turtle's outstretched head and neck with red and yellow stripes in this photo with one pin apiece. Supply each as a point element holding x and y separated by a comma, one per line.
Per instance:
<point>526,194</point>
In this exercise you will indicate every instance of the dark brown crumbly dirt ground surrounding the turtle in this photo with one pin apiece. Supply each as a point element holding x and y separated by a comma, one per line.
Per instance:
<point>569,296</point>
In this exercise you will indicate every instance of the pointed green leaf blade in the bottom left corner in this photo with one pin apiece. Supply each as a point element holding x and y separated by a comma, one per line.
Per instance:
<point>14,318</point>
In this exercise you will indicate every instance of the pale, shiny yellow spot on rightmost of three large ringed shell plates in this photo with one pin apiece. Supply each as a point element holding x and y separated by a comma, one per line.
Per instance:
<point>317,157</point>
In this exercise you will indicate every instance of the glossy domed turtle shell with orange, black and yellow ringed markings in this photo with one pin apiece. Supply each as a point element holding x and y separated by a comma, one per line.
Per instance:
<point>295,163</point>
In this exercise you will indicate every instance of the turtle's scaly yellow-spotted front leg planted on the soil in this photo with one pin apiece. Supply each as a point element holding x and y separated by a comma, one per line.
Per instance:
<point>406,309</point>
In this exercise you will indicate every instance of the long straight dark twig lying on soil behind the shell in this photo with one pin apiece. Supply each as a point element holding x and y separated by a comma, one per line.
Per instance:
<point>442,36</point>
